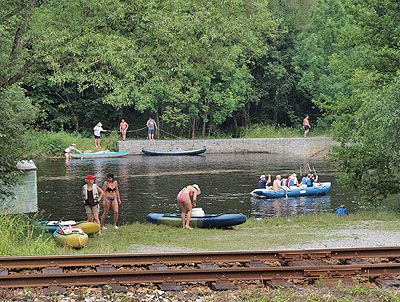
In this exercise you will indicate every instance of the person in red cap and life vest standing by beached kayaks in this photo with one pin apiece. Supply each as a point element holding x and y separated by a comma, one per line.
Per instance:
<point>91,194</point>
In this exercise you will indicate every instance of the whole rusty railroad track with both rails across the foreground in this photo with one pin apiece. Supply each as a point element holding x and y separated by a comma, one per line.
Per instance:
<point>219,269</point>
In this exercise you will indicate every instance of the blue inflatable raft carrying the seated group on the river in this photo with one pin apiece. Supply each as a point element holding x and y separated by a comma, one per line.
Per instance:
<point>319,189</point>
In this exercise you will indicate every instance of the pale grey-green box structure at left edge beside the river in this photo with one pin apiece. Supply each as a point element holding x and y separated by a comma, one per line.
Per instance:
<point>24,199</point>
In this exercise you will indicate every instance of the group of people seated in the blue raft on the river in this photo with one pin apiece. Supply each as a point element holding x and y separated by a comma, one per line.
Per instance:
<point>286,183</point>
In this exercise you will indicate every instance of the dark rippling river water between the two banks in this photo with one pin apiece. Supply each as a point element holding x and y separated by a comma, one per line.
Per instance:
<point>150,184</point>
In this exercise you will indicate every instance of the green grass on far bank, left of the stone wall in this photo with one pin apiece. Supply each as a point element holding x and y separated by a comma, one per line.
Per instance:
<point>44,143</point>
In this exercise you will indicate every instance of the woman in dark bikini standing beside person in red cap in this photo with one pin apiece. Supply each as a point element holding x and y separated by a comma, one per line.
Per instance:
<point>111,198</point>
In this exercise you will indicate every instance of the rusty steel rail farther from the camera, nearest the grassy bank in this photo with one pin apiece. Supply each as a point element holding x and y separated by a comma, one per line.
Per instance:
<point>84,260</point>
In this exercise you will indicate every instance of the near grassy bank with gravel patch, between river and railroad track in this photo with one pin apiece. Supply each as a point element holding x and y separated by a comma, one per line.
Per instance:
<point>21,238</point>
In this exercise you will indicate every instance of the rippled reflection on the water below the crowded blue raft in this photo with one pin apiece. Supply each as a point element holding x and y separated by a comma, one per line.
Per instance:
<point>263,207</point>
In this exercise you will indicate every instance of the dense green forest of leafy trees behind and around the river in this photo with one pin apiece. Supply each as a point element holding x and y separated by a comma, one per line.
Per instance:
<point>202,68</point>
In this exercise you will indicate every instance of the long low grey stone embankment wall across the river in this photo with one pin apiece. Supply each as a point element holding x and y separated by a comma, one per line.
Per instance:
<point>307,147</point>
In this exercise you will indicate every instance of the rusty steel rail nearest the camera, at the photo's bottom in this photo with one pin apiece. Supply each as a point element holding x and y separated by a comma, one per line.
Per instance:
<point>305,273</point>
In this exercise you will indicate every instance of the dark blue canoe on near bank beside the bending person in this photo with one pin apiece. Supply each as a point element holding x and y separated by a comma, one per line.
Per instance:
<point>206,221</point>
